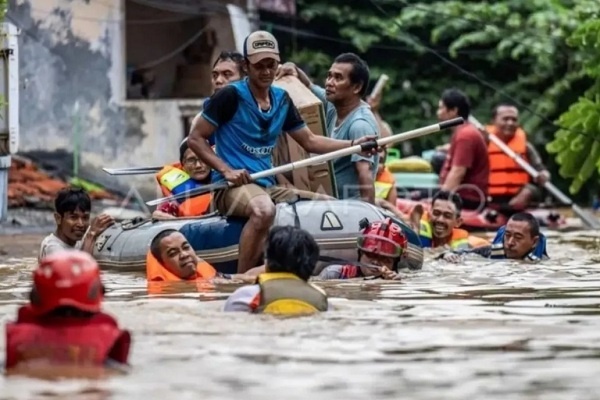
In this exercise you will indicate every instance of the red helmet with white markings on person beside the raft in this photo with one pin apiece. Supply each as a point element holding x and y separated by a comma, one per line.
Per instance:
<point>384,238</point>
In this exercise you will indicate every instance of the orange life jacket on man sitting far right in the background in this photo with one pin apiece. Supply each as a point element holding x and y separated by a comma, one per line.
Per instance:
<point>506,176</point>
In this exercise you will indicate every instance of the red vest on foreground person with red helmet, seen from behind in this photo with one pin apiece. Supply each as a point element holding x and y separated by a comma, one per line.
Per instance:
<point>65,340</point>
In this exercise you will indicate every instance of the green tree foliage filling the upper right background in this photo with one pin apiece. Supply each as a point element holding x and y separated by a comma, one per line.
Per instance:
<point>541,55</point>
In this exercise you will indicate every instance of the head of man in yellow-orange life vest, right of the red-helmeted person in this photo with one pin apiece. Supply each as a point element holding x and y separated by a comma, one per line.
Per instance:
<point>445,214</point>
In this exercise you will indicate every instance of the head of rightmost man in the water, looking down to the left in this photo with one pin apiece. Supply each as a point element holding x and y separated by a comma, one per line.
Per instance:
<point>521,235</point>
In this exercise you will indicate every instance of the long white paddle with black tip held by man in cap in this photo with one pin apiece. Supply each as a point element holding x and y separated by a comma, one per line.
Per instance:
<point>318,159</point>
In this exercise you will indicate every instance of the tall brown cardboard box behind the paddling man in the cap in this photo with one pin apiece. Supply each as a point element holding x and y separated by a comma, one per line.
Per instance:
<point>317,178</point>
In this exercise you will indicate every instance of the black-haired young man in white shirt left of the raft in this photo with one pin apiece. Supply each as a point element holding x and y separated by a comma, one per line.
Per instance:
<point>72,209</point>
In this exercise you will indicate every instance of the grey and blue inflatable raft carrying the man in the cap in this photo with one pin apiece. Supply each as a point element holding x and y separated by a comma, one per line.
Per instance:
<point>335,224</point>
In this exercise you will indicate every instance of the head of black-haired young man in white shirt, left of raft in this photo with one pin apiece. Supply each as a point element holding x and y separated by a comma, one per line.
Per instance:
<point>72,208</point>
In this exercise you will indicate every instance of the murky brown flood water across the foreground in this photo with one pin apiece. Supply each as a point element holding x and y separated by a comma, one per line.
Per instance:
<point>481,330</point>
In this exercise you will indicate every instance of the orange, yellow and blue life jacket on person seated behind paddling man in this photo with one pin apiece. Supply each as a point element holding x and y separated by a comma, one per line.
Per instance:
<point>172,179</point>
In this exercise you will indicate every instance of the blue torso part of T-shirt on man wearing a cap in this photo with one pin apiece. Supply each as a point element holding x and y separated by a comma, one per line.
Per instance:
<point>247,141</point>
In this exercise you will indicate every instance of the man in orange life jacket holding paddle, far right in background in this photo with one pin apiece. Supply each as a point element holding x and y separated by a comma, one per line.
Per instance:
<point>508,182</point>
